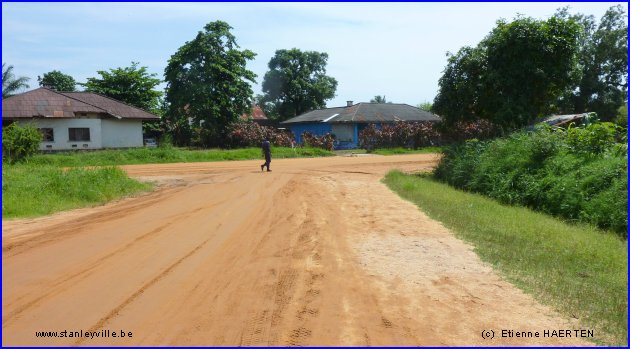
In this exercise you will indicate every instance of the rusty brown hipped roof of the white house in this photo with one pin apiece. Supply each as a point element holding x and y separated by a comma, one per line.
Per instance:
<point>43,102</point>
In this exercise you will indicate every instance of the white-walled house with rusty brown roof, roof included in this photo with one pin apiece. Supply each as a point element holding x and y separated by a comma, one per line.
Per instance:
<point>77,120</point>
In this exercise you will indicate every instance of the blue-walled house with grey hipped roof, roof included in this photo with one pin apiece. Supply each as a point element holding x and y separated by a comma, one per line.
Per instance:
<point>345,123</point>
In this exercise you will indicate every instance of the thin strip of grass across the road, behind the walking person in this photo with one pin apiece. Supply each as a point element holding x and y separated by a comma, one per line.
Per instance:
<point>167,155</point>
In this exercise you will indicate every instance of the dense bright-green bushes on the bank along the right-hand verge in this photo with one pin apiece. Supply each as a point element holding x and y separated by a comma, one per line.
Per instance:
<point>579,174</point>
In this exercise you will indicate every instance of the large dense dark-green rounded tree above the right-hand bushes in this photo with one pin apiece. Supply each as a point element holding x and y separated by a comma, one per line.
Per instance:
<point>516,74</point>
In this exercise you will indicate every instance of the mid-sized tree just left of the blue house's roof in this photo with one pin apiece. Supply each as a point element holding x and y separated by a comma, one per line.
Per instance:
<point>297,82</point>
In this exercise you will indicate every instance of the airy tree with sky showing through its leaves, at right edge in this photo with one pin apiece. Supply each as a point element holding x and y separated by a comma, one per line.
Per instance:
<point>603,59</point>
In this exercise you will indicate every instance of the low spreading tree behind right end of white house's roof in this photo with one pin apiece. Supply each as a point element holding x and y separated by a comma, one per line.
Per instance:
<point>132,85</point>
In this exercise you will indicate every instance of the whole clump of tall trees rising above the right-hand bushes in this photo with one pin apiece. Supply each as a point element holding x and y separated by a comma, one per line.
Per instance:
<point>530,68</point>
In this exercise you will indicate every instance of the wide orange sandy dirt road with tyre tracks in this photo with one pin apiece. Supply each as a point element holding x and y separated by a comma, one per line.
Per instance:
<point>318,252</point>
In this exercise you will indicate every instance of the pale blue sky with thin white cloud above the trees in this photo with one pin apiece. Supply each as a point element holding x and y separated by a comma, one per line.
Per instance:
<point>396,50</point>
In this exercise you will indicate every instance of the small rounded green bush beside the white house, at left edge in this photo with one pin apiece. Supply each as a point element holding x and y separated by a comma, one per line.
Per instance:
<point>19,142</point>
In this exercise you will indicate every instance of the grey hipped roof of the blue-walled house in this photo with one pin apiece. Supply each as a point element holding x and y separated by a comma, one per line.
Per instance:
<point>365,113</point>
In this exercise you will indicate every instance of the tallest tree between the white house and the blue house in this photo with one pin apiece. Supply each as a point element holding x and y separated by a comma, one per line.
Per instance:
<point>208,83</point>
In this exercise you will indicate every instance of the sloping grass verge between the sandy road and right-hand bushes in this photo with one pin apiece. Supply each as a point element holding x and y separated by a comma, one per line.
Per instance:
<point>579,270</point>
